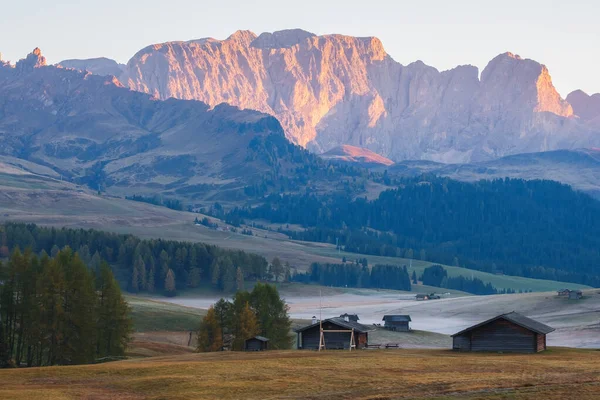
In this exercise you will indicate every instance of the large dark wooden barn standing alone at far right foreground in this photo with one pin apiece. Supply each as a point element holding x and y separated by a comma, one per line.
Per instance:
<point>510,333</point>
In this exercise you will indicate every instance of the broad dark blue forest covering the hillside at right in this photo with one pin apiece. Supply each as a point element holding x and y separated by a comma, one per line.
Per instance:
<point>537,229</point>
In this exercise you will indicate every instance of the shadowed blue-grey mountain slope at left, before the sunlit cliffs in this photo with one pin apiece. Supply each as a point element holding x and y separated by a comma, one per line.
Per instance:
<point>94,131</point>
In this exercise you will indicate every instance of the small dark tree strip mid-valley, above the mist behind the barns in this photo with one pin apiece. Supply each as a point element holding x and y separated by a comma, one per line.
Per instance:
<point>356,276</point>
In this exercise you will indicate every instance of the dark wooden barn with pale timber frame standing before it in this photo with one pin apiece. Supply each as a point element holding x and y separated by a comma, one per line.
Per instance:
<point>308,336</point>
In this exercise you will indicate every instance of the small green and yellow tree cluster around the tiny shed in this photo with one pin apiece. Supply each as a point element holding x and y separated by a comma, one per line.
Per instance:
<point>259,312</point>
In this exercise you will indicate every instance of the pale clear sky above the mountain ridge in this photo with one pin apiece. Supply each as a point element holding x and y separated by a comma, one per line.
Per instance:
<point>563,35</point>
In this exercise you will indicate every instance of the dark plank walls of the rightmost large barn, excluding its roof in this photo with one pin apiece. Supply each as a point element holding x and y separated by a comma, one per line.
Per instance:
<point>503,336</point>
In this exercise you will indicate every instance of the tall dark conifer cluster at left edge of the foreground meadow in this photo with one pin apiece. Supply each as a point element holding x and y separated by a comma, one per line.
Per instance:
<point>58,311</point>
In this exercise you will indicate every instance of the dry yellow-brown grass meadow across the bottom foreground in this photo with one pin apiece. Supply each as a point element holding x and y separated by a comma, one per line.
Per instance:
<point>392,374</point>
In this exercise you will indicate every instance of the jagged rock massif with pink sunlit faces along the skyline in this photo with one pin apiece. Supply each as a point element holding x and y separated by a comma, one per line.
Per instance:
<point>335,90</point>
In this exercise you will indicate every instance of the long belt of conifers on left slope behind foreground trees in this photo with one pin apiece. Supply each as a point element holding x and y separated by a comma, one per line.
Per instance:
<point>155,266</point>
